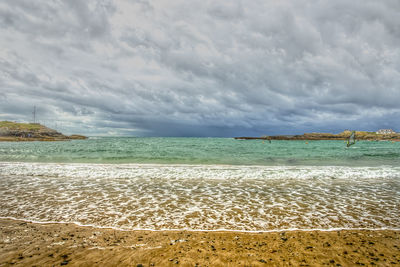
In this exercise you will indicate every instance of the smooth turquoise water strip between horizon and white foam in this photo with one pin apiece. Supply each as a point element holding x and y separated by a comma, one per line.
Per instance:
<point>204,151</point>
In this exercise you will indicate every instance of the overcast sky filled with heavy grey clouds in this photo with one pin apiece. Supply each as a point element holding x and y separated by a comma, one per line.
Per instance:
<point>200,67</point>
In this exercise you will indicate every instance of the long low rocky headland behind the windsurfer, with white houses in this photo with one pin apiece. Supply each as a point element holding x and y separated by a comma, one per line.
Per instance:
<point>360,135</point>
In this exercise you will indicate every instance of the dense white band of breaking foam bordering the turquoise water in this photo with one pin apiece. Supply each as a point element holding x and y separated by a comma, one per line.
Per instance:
<point>168,171</point>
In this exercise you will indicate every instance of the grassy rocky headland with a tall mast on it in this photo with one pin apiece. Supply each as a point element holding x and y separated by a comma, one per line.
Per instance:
<point>14,131</point>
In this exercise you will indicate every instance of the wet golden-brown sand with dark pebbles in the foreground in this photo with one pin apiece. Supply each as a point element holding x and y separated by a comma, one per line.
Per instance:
<point>32,244</point>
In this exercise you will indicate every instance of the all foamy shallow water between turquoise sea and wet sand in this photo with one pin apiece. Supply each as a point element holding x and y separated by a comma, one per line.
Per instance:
<point>202,197</point>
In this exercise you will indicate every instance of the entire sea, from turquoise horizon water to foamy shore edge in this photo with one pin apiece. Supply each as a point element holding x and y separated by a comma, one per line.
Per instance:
<point>202,184</point>
